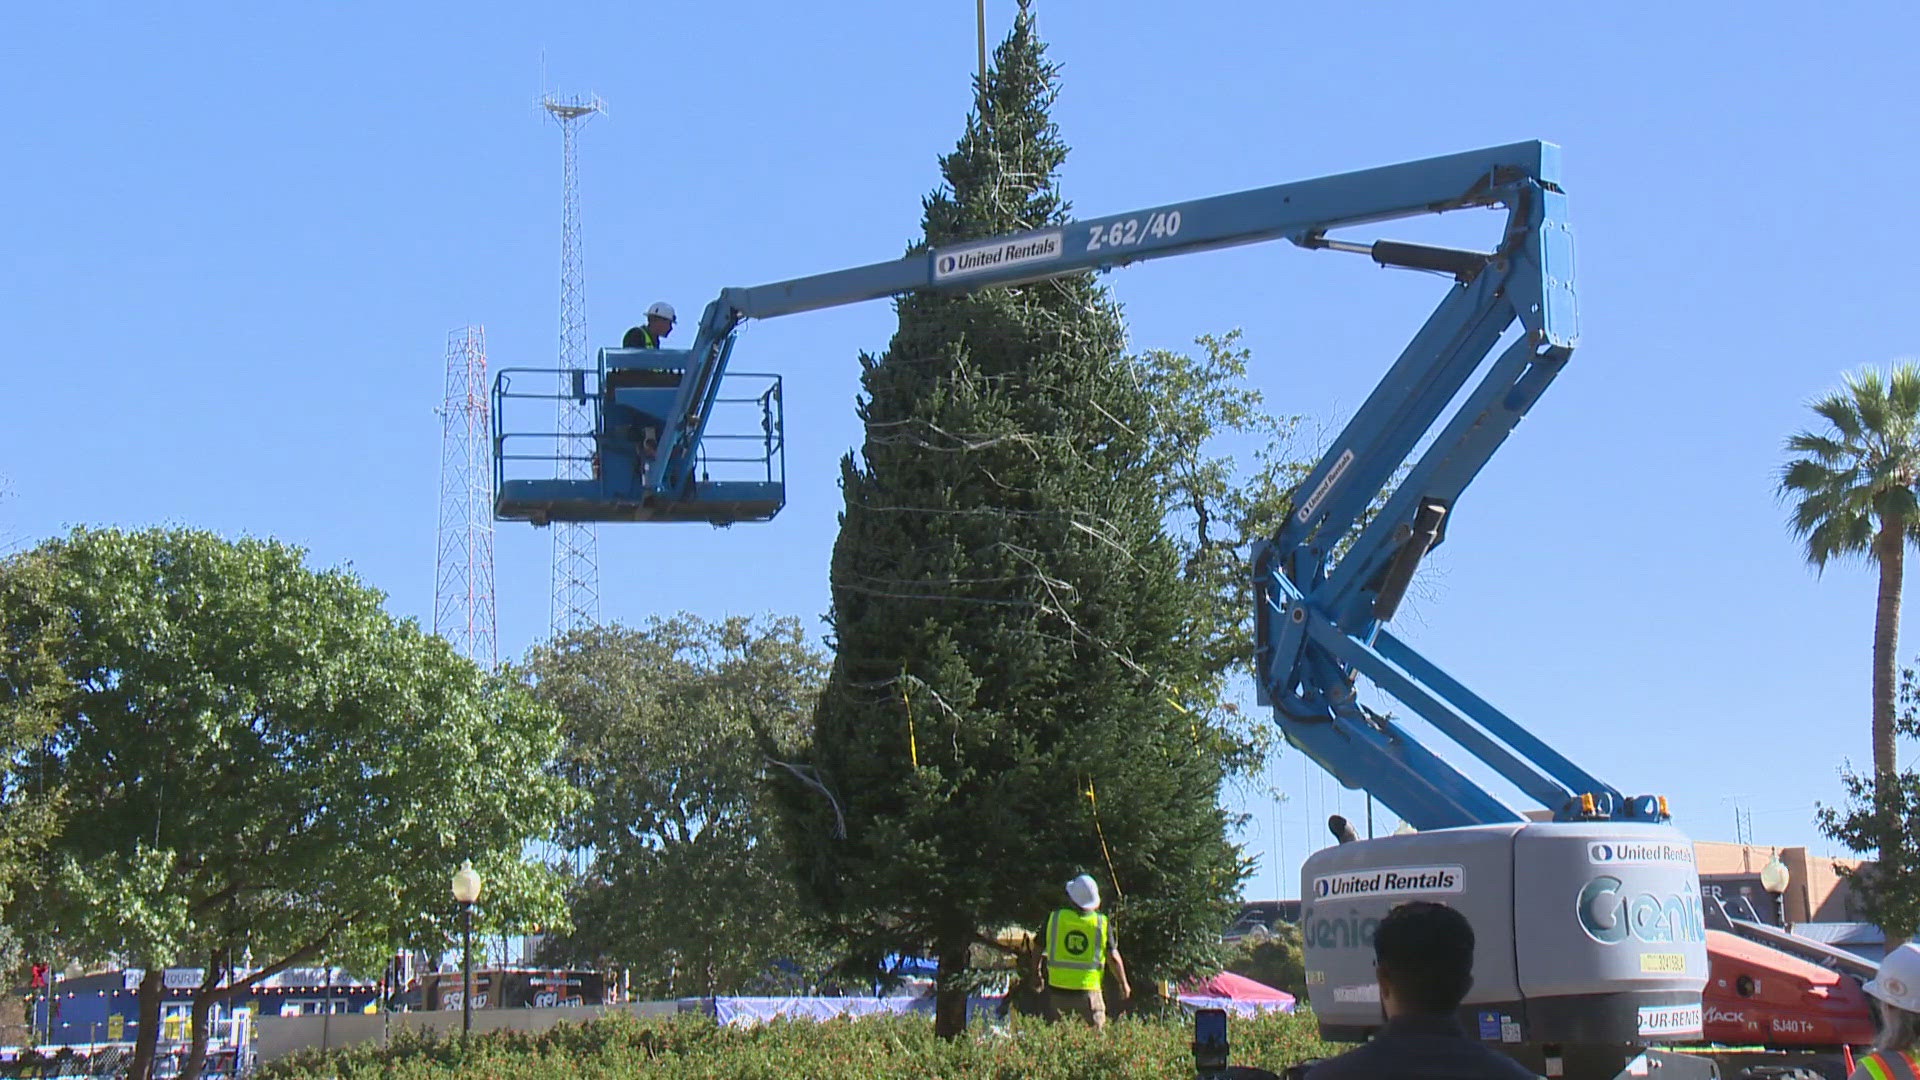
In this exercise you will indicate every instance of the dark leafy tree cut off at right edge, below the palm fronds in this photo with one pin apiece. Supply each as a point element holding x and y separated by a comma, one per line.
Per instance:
<point>1884,820</point>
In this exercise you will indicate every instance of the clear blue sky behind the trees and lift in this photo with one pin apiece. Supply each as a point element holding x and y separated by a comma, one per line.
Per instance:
<point>239,233</point>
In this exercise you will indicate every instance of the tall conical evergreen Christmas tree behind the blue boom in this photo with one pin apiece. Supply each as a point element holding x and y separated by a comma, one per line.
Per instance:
<point>1026,654</point>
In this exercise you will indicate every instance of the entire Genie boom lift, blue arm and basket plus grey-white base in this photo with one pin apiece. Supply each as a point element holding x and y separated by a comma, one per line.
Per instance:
<point>1591,923</point>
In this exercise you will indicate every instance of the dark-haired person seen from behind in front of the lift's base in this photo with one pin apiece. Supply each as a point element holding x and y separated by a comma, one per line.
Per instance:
<point>1424,962</point>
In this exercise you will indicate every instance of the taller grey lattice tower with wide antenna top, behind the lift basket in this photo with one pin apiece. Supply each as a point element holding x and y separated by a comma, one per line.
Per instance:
<point>575,543</point>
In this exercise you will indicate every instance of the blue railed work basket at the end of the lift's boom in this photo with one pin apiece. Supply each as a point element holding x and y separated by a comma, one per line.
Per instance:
<point>544,476</point>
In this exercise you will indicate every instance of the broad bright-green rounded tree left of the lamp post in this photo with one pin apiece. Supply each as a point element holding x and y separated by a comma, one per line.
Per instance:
<point>268,764</point>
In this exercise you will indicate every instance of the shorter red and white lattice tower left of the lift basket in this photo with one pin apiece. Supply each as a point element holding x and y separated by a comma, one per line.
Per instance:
<point>464,583</point>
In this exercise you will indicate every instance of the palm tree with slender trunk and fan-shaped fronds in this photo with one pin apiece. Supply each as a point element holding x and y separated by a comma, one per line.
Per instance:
<point>1854,495</point>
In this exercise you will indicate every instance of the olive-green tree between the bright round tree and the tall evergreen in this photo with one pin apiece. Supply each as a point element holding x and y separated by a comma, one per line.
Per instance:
<point>688,887</point>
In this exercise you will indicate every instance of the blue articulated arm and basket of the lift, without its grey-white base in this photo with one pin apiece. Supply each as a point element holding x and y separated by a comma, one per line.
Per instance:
<point>1322,620</point>
